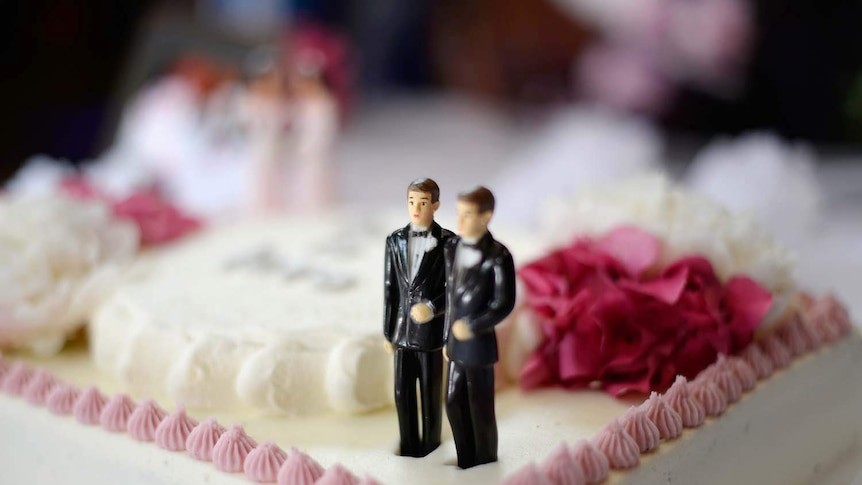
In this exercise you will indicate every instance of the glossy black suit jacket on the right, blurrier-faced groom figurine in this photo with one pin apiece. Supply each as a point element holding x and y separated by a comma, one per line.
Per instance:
<point>483,296</point>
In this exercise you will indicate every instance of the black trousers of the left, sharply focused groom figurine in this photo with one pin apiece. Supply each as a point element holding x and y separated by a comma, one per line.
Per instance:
<point>426,368</point>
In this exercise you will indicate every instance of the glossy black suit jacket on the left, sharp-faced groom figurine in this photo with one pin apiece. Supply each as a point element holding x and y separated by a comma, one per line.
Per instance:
<point>401,294</point>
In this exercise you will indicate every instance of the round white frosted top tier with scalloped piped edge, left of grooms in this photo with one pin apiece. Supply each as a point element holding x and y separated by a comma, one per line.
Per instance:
<point>302,349</point>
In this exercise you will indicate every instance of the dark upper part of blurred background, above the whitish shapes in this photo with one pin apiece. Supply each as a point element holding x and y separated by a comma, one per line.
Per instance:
<point>698,68</point>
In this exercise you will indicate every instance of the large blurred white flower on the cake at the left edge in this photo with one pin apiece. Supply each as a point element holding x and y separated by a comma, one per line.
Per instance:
<point>57,256</point>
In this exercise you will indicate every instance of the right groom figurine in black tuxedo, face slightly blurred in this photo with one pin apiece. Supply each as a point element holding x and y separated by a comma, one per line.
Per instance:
<point>480,293</point>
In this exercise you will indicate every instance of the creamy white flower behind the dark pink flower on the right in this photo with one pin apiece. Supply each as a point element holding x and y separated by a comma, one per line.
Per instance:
<point>685,223</point>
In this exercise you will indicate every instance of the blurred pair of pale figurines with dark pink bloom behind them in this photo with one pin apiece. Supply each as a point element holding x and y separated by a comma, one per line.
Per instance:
<point>298,112</point>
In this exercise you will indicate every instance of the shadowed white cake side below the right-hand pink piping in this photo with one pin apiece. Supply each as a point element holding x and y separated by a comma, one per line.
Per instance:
<point>793,429</point>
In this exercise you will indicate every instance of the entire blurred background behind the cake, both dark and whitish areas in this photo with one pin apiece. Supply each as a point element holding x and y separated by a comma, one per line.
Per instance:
<point>227,108</point>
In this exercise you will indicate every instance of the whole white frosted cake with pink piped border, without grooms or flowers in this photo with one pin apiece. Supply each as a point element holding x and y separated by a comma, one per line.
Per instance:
<point>275,327</point>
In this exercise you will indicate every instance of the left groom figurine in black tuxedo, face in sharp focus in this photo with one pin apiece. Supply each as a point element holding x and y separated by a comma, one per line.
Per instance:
<point>414,291</point>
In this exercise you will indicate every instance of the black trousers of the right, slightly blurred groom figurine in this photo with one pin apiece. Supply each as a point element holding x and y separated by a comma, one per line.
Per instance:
<point>470,408</point>
